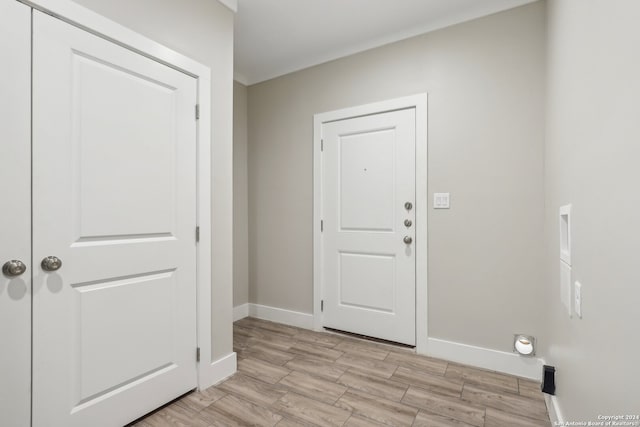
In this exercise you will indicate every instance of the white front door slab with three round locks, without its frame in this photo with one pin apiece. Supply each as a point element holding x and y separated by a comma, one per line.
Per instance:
<point>368,213</point>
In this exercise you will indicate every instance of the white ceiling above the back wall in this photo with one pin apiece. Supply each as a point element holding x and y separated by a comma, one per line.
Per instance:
<point>276,37</point>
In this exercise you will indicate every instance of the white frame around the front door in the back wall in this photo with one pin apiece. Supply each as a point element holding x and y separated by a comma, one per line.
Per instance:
<point>419,103</point>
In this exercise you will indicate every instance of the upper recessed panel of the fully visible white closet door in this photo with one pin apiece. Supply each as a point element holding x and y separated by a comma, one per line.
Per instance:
<point>112,135</point>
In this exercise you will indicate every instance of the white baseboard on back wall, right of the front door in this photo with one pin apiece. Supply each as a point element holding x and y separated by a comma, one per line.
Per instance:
<point>494,360</point>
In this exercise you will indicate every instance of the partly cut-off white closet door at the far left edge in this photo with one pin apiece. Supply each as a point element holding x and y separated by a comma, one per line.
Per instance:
<point>15,212</point>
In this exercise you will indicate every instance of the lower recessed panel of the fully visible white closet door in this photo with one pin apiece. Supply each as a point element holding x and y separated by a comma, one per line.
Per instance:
<point>108,320</point>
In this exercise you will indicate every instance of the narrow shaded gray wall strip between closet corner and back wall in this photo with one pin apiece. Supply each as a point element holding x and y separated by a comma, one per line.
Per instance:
<point>240,197</point>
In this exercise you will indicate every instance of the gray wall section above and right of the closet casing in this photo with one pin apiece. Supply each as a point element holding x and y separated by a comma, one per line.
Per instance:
<point>202,30</point>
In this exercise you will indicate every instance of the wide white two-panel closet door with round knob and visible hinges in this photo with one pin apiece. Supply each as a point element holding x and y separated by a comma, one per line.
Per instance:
<point>114,160</point>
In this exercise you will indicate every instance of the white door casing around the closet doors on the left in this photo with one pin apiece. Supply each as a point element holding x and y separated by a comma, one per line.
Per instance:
<point>209,372</point>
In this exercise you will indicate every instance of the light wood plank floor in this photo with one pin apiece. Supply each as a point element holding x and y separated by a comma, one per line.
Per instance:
<point>295,377</point>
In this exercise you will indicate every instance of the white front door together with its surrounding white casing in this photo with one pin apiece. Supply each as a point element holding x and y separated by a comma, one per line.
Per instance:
<point>368,162</point>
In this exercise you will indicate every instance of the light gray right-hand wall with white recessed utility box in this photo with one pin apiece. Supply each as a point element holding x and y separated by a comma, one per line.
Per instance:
<point>592,162</point>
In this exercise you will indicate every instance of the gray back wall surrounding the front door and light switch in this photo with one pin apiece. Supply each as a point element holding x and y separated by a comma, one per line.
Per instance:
<point>485,80</point>
